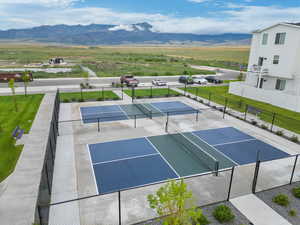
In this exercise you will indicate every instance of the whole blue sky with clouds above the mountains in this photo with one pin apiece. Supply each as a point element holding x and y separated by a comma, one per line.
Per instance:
<point>178,16</point>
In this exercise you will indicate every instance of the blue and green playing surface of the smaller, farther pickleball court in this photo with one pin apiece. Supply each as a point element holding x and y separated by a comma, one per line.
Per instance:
<point>92,114</point>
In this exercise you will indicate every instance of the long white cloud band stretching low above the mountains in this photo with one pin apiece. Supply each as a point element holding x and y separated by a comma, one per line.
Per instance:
<point>235,19</point>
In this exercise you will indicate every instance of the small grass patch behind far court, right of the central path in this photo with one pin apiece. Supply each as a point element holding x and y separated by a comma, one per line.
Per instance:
<point>156,92</point>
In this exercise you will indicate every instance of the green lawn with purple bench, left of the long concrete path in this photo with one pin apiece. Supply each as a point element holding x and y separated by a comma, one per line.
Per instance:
<point>9,119</point>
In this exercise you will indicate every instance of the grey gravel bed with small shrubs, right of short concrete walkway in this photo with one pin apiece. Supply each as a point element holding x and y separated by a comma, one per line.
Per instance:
<point>267,196</point>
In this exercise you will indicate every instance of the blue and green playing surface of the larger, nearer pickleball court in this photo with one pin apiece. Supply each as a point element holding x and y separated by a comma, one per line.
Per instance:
<point>131,163</point>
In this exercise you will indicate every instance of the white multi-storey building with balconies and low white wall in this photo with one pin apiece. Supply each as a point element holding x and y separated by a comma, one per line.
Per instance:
<point>274,67</point>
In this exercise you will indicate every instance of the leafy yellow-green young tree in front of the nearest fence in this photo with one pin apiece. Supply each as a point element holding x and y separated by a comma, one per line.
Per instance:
<point>175,204</point>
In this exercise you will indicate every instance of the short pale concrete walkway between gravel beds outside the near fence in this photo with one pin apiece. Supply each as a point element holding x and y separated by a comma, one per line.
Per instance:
<point>258,212</point>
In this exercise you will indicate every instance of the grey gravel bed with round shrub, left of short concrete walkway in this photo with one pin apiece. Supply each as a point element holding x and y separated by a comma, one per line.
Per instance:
<point>240,219</point>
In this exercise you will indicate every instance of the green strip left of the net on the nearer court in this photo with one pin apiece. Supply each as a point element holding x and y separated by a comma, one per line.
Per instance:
<point>183,162</point>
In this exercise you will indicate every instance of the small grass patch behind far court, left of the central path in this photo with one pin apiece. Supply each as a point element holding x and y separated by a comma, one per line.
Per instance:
<point>95,95</point>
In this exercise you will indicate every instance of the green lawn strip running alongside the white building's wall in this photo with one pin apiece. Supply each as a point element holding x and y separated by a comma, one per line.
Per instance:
<point>284,118</point>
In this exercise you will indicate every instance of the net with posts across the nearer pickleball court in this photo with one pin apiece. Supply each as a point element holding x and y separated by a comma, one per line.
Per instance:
<point>200,151</point>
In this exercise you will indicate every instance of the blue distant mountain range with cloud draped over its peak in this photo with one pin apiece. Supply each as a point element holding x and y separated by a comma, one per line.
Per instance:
<point>101,34</point>
